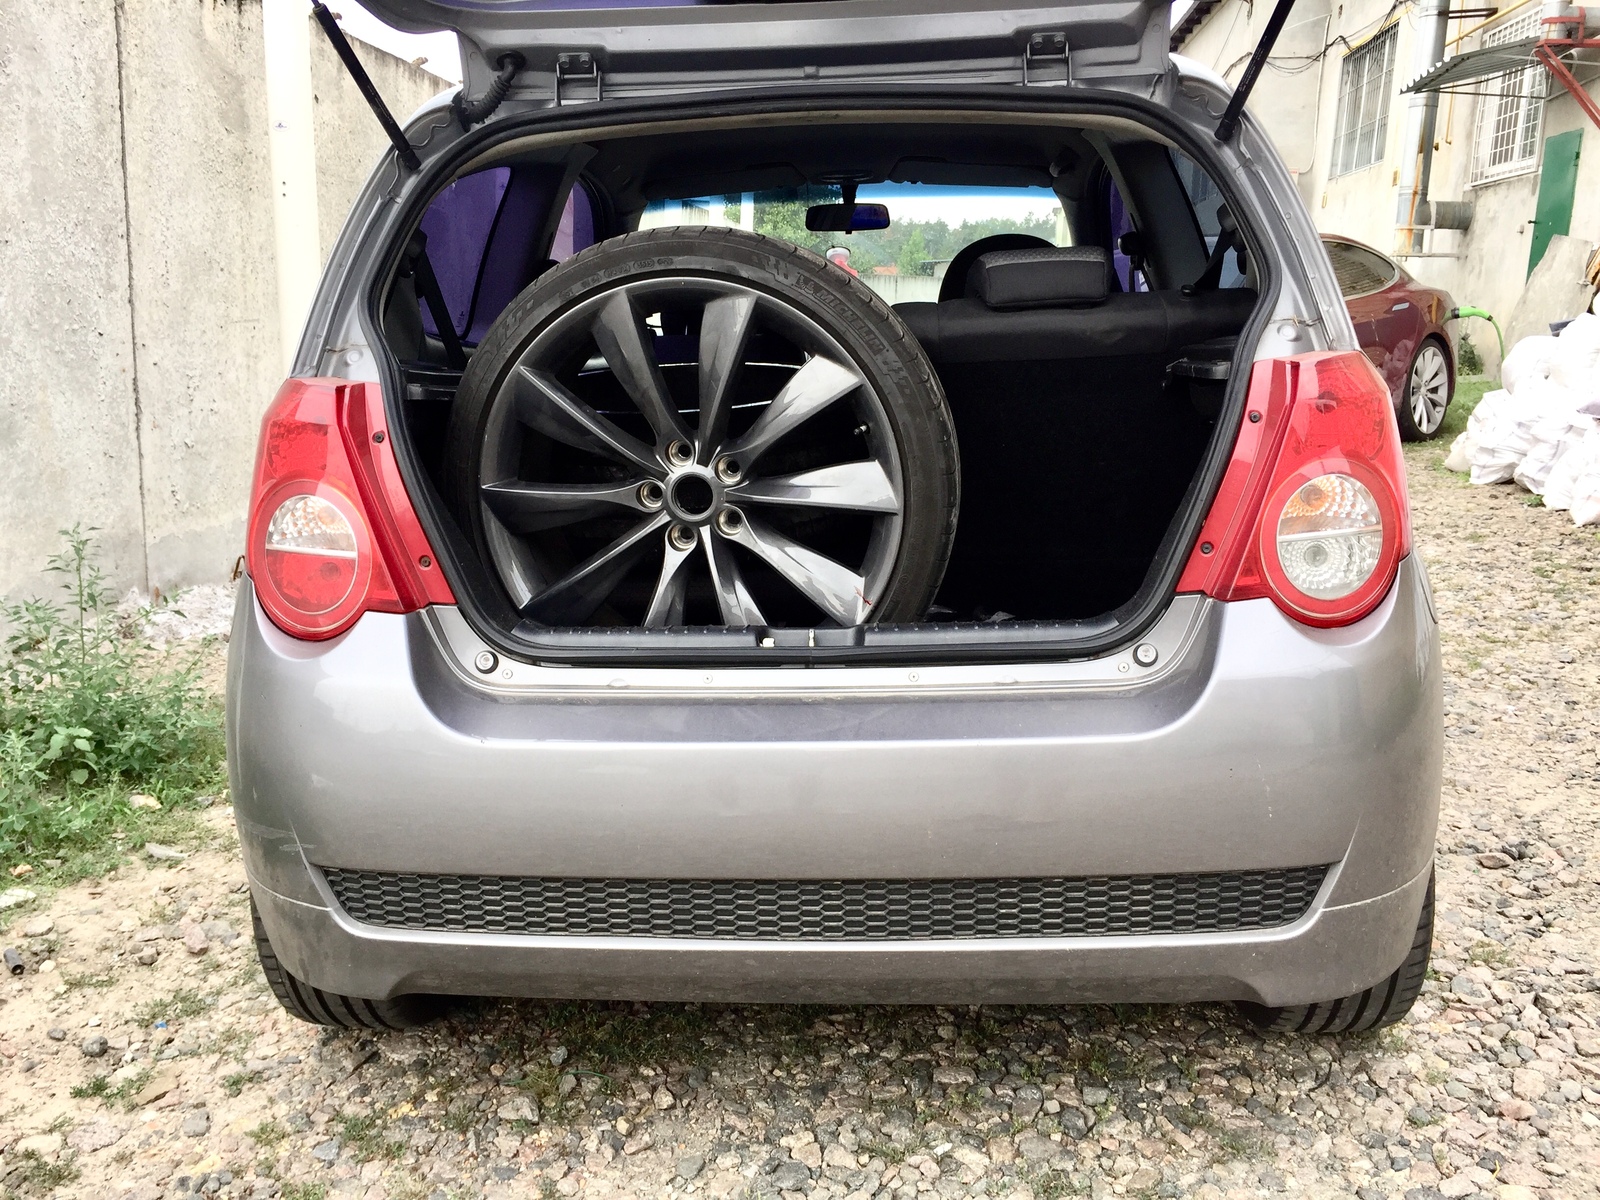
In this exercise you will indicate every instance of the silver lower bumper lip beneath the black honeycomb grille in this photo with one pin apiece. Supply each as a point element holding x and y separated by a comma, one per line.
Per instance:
<point>1334,951</point>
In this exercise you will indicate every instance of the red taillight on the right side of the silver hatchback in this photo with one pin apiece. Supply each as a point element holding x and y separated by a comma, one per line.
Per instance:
<point>1313,510</point>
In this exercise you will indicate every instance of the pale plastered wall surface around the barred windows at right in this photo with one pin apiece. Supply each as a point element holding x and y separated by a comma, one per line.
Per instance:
<point>1486,265</point>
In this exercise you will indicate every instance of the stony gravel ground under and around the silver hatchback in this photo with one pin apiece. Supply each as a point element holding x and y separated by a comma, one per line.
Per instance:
<point>140,1055</point>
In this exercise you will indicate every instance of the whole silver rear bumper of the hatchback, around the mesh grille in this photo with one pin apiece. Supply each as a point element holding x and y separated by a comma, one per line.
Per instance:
<point>1260,745</point>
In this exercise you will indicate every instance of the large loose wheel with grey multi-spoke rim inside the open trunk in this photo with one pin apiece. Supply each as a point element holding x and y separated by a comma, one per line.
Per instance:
<point>705,428</point>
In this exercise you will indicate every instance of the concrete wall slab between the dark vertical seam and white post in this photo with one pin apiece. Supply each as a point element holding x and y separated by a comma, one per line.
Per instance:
<point>204,313</point>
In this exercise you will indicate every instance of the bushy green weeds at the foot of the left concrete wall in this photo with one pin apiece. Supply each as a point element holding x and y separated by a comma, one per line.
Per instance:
<point>86,716</point>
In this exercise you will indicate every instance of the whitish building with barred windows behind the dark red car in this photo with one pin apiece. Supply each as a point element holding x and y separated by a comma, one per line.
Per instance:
<point>1510,140</point>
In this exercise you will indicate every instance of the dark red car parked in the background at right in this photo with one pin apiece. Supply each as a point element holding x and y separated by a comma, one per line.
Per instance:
<point>1401,326</point>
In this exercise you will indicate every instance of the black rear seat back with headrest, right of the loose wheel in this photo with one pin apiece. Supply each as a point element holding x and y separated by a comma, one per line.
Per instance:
<point>1074,458</point>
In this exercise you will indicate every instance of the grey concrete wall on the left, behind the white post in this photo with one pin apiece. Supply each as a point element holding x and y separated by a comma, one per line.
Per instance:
<point>138,289</point>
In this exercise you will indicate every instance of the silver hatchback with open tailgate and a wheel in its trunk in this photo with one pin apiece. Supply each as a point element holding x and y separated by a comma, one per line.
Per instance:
<point>846,502</point>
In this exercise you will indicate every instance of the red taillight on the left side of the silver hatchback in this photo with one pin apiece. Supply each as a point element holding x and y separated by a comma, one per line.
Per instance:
<point>332,530</point>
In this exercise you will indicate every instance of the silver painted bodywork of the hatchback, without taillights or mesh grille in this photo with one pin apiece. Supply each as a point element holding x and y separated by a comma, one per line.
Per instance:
<point>1254,742</point>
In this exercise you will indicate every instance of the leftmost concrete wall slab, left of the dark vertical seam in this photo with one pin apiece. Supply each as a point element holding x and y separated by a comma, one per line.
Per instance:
<point>66,386</point>
